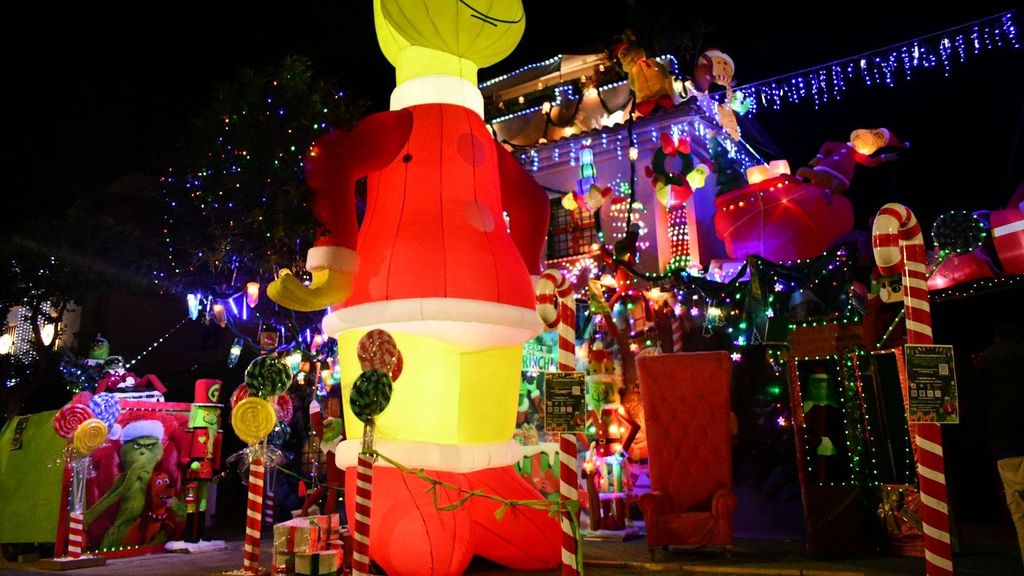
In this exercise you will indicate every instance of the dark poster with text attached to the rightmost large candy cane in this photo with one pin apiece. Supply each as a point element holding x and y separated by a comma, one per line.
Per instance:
<point>931,380</point>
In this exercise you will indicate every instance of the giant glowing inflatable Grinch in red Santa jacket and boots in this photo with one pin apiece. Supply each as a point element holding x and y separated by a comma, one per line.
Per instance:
<point>453,231</point>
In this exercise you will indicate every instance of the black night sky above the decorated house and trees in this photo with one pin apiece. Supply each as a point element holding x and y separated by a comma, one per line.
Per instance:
<point>107,91</point>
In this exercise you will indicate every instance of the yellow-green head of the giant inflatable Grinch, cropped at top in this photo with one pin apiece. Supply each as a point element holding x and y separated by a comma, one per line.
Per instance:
<point>483,32</point>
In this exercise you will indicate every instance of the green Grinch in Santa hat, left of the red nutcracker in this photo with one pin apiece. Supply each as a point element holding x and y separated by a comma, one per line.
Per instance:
<point>142,449</point>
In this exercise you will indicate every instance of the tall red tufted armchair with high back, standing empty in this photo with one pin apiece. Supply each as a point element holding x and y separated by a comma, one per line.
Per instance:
<point>687,409</point>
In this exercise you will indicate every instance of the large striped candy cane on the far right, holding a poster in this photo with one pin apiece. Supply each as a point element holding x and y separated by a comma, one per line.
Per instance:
<point>900,248</point>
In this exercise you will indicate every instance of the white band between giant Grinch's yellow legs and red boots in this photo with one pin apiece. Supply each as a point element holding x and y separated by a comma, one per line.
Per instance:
<point>433,457</point>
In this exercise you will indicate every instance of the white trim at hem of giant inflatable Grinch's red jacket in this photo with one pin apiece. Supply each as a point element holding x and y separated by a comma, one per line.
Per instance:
<point>467,325</point>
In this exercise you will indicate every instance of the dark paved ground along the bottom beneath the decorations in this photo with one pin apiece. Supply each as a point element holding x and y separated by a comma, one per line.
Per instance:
<point>989,554</point>
